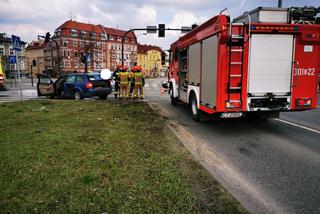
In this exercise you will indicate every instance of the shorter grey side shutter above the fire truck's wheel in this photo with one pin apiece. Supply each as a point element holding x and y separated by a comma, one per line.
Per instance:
<point>194,63</point>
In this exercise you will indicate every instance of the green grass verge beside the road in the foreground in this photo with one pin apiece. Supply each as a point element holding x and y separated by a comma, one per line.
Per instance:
<point>97,156</point>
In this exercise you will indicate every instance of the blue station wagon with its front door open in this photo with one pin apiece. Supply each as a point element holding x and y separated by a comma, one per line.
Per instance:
<point>75,85</point>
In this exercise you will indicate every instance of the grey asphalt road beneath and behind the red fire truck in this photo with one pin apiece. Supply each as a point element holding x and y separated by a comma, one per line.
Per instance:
<point>270,166</point>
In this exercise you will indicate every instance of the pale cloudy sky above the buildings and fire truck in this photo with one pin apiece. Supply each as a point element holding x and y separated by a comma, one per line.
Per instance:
<point>29,18</point>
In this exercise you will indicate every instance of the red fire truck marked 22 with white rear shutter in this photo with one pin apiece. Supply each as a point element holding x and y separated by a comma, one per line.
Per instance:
<point>260,64</point>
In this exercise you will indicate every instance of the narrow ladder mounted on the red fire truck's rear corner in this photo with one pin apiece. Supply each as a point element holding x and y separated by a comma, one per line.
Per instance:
<point>235,74</point>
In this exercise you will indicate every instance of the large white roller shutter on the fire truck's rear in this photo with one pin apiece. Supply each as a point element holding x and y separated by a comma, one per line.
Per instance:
<point>270,66</point>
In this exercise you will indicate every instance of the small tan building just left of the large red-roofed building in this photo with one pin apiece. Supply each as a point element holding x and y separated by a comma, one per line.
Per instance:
<point>35,57</point>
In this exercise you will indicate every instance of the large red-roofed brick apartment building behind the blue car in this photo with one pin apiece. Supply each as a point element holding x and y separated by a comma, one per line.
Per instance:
<point>75,39</point>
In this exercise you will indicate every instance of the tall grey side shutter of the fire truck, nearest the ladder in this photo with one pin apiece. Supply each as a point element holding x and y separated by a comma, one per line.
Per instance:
<point>209,71</point>
